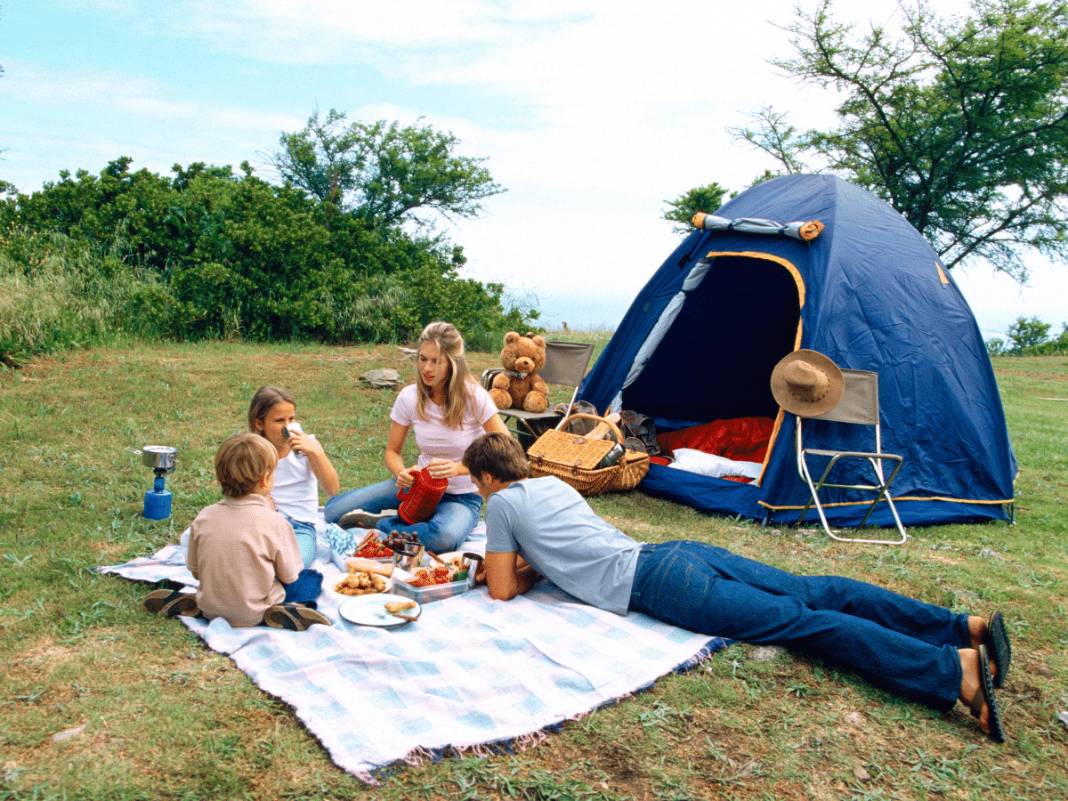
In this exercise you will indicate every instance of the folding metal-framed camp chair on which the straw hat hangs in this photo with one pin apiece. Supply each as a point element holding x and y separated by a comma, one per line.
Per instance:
<point>859,406</point>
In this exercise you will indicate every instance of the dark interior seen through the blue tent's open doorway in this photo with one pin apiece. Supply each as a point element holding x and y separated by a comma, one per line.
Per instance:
<point>715,360</point>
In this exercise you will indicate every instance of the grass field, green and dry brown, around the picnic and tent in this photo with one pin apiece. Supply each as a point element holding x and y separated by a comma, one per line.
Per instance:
<point>165,718</point>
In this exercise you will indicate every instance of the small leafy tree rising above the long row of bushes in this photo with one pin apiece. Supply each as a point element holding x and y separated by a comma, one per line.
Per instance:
<point>383,172</point>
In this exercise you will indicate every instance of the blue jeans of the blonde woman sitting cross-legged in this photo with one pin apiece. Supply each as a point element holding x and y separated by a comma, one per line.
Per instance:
<point>450,526</point>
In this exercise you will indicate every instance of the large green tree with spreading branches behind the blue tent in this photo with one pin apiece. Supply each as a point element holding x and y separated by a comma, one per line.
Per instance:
<point>961,124</point>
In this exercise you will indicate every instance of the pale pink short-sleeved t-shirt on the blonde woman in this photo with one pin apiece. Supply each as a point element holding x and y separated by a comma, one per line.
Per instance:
<point>438,442</point>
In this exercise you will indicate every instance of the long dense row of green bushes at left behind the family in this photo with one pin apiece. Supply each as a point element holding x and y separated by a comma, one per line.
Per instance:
<point>211,255</point>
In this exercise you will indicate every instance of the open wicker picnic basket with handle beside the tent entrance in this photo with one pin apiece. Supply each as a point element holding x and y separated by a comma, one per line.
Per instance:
<point>574,459</point>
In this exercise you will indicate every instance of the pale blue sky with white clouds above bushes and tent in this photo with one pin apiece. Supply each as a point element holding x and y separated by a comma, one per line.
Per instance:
<point>591,114</point>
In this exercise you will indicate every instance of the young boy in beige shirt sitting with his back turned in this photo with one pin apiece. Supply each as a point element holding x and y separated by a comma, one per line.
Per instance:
<point>244,553</point>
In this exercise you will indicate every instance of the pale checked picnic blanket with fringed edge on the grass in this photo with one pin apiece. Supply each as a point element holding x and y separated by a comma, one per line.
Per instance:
<point>472,672</point>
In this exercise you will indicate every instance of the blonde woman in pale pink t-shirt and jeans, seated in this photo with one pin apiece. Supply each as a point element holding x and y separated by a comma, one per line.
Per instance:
<point>448,411</point>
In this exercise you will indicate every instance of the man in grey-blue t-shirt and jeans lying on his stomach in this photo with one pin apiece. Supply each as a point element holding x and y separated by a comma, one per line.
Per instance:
<point>543,527</point>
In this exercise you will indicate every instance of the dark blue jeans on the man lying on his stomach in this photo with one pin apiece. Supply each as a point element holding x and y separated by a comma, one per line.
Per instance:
<point>905,646</point>
